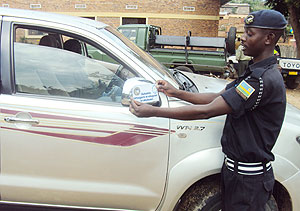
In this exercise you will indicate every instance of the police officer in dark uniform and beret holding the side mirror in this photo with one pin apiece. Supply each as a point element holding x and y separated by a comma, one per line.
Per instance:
<point>255,107</point>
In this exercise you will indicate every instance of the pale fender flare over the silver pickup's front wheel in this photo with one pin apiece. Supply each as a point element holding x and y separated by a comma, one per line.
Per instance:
<point>209,162</point>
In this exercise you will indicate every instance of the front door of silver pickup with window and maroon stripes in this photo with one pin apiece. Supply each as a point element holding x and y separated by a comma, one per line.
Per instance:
<point>66,139</point>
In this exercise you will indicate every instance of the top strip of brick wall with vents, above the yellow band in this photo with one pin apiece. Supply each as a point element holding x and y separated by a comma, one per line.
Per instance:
<point>203,7</point>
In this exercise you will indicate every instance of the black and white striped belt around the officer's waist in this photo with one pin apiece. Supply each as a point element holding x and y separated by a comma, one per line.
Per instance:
<point>247,168</point>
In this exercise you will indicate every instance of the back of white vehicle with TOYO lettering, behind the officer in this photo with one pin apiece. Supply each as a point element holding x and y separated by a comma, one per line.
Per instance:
<point>290,69</point>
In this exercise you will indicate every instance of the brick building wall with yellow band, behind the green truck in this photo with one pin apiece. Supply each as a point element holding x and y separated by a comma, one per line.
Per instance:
<point>168,14</point>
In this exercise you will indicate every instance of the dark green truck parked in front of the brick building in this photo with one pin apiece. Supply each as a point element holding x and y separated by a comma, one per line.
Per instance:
<point>204,55</point>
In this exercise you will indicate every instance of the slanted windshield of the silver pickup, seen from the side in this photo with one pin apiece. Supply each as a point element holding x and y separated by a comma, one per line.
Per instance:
<point>140,54</point>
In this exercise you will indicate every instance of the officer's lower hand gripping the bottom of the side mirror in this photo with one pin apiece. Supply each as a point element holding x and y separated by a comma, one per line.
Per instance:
<point>141,109</point>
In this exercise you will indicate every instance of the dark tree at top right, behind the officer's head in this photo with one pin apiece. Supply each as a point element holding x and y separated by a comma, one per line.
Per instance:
<point>291,9</point>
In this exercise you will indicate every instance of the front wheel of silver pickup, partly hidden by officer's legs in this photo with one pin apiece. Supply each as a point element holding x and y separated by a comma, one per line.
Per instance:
<point>206,196</point>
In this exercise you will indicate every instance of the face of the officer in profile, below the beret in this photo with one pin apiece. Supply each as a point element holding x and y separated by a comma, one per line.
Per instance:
<point>253,41</point>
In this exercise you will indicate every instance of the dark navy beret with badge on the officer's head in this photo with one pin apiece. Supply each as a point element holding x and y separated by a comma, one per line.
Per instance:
<point>266,19</point>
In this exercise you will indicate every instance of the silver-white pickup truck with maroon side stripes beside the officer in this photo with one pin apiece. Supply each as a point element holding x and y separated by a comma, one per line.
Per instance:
<point>68,141</point>
